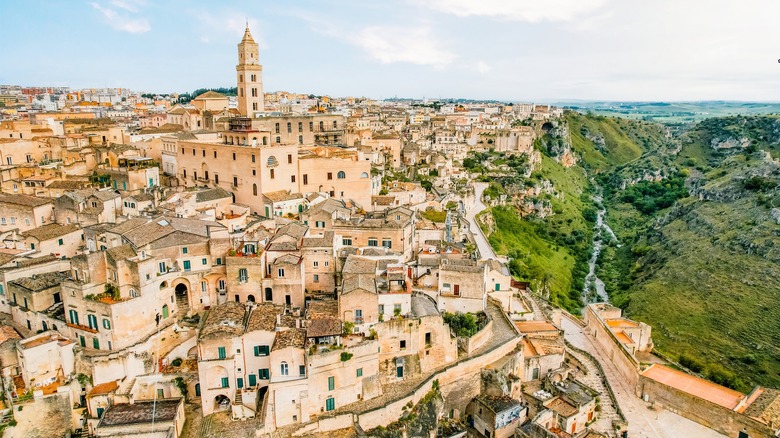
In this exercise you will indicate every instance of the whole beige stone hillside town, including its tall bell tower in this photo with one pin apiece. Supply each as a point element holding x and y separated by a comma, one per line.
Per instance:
<point>283,264</point>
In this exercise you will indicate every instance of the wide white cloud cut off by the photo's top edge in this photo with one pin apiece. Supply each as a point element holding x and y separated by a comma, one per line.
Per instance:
<point>515,10</point>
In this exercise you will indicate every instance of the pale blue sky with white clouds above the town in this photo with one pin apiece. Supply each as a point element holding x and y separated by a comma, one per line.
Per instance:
<point>509,50</point>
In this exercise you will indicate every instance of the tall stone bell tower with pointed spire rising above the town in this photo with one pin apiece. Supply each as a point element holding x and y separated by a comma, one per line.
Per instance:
<point>250,76</point>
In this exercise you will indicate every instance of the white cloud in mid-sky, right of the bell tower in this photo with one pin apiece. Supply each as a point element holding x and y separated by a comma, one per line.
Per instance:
<point>390,45</point>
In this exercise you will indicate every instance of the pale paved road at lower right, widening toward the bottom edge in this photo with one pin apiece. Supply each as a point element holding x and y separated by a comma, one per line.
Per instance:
<point>643,422</point>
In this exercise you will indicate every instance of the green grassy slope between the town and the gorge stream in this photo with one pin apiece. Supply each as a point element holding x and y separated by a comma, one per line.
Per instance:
<point>552,250</point>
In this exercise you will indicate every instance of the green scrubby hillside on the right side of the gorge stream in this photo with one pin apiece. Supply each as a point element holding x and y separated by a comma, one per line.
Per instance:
<point>700,235</point>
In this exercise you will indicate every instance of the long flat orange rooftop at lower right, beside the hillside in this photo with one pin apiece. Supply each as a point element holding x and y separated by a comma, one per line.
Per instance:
<point>704,389</point>
